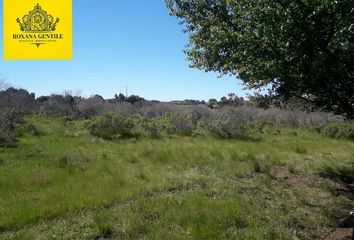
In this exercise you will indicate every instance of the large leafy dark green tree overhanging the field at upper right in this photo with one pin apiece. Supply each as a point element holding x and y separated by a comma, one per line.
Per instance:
<point>301,48</point>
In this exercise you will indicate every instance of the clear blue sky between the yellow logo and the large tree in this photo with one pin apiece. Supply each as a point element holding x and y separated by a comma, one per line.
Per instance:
<point>118,44</point>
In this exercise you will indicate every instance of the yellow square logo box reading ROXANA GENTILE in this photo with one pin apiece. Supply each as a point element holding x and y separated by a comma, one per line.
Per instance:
<point>37,30</point>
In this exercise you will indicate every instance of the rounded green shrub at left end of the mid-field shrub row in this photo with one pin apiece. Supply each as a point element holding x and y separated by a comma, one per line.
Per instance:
<point>110,126</point>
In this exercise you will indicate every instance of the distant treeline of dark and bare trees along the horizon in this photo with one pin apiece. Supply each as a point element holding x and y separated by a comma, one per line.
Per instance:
<point>69,103</point>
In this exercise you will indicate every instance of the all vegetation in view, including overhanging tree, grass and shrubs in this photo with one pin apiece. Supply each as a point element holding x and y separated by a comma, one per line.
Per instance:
<point>272,166</point>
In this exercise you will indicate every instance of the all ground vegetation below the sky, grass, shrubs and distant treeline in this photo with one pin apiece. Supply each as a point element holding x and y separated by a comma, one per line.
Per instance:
<point>76,168</point>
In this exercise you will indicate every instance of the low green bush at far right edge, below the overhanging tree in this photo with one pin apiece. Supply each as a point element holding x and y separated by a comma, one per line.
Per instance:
<point>339,131</point>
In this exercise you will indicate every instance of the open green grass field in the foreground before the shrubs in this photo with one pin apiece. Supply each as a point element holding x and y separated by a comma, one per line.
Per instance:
<point>66,184</point>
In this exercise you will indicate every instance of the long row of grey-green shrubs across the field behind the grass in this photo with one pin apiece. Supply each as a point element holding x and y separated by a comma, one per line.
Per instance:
<point>241,123</point>
